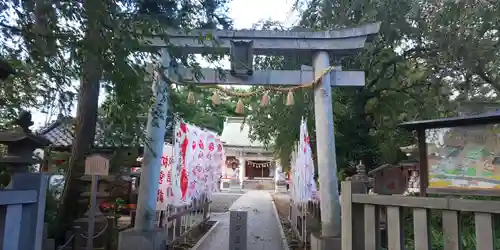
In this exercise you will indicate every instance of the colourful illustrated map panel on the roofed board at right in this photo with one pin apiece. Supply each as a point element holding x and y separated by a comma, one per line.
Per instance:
<point>466,157</point>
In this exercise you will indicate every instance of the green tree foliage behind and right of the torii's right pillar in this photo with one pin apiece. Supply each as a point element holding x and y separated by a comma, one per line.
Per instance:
<point>411,68</point>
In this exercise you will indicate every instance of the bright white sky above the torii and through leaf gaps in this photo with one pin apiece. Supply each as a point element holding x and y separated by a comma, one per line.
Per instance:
<point>244,14</point>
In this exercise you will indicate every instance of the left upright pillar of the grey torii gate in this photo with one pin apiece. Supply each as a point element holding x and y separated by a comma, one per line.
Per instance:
<point>151,163</point>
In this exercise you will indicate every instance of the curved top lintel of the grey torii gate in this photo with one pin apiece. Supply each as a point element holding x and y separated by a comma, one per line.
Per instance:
<point>343,41</point>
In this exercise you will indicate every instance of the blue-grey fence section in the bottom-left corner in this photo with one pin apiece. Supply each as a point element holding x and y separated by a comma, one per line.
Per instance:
<point>22,210</point>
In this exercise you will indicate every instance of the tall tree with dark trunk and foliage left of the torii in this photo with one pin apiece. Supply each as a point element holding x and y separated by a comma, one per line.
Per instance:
<point>100,43</point>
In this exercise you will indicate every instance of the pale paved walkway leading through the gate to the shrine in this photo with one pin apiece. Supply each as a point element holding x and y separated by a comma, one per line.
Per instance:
<point>263,229</point>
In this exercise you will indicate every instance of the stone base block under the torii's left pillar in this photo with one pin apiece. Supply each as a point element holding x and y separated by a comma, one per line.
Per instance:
<point>132,239</point>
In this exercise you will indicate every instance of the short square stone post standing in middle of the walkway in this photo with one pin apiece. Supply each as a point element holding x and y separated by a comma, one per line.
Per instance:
<point>238,230</point>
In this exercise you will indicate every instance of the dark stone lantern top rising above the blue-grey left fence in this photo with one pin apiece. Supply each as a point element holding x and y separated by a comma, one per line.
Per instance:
<point>21,143</point>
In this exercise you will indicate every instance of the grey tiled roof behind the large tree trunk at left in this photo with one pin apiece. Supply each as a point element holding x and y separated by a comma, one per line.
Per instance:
<point>61,134</point>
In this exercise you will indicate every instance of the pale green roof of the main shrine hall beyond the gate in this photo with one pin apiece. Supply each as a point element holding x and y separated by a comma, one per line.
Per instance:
<point>236,133</point>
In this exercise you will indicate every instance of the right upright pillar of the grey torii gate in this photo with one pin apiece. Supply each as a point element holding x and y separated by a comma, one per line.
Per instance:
<point>325,142</point>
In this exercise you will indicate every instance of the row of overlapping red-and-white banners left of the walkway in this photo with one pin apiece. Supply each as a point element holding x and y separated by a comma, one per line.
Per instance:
<point>191,167</point>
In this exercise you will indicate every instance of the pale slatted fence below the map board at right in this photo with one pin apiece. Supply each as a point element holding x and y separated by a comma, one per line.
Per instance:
<point>361,220</point>
